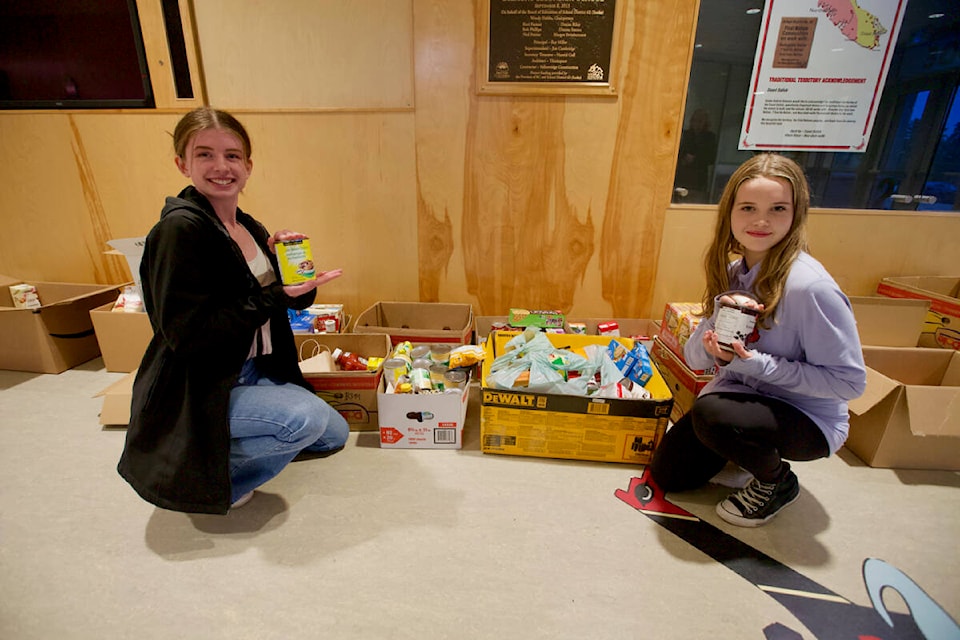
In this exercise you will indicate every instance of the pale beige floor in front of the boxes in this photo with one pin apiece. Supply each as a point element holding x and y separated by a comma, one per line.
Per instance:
<point>373,543</point>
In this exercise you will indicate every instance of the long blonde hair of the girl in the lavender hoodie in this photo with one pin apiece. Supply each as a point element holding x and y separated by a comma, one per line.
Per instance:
<point>772,277</point>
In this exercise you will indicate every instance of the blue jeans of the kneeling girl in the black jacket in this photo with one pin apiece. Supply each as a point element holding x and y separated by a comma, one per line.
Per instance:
<point>270,423</point>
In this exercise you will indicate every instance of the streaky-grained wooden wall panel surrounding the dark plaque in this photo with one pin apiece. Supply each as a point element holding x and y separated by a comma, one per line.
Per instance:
<point>560,203</point>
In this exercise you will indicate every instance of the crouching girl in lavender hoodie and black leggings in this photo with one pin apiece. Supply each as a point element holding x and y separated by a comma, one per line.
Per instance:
<point>780,394</point>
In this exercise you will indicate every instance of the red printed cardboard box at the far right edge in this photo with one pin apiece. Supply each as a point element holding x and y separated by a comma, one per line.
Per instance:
<point>942,326</point>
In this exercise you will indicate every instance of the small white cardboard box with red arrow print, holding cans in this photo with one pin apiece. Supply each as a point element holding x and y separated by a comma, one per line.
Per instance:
<point>422,421</point>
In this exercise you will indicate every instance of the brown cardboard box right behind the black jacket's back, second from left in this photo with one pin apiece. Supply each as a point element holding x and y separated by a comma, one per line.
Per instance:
<point>122,336</point>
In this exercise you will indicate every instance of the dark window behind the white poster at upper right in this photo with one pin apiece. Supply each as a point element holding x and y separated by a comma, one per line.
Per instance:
<point>912,160</point>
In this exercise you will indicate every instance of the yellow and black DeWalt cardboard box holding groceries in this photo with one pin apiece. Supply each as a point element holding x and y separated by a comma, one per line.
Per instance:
<point>518,422</point>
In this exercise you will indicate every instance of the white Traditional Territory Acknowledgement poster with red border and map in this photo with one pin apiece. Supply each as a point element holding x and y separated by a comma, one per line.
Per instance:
<point>818,74</point>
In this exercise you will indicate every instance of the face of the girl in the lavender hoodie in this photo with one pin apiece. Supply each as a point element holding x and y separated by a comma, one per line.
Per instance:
<point>761,217</point>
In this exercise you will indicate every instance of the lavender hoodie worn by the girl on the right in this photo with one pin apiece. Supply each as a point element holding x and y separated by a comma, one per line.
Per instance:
<point>810,356</point>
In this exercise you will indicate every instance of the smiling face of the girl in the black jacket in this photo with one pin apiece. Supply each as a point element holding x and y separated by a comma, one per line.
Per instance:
<point>215,162</point>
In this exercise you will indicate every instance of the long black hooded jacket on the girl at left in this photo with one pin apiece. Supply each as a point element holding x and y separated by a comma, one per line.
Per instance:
<point>205,307</point>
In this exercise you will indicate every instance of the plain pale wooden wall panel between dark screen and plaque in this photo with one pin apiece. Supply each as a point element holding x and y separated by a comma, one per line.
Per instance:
<point>306,54</point>
